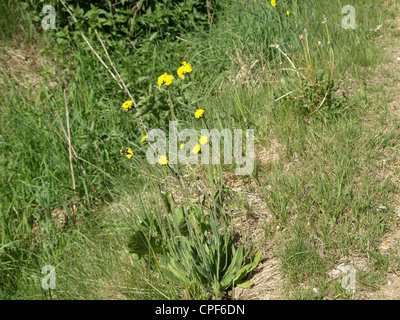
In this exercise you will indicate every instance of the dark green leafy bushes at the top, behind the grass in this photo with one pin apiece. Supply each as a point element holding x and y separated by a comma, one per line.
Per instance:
<point>126,22</point>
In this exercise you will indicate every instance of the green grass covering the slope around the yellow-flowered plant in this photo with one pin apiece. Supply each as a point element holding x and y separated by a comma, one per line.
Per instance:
<point>323,192</point>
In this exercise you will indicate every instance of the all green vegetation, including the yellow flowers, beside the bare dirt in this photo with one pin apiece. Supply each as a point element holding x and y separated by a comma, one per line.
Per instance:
<point>77,103</point>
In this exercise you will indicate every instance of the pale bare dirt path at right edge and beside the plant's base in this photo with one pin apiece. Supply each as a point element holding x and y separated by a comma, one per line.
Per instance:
<point>267,279</point>
